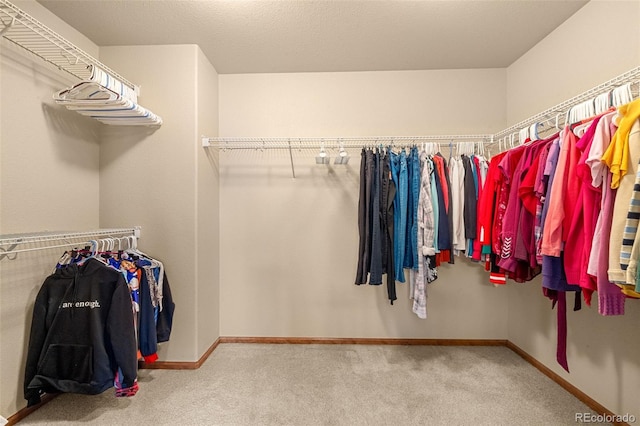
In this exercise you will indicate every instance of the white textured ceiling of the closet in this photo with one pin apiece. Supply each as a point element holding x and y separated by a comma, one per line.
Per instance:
<point>255,36</point>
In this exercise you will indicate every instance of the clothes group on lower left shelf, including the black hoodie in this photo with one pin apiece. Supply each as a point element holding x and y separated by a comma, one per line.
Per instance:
<point>95,316</point>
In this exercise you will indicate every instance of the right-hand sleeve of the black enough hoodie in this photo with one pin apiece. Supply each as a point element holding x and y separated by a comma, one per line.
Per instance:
<point>121,332</point>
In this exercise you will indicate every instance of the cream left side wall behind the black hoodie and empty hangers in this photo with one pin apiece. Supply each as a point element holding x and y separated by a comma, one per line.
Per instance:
<point>49,181</point>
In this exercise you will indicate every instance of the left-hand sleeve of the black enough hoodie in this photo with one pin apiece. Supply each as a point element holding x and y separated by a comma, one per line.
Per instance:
<point>37,337</point>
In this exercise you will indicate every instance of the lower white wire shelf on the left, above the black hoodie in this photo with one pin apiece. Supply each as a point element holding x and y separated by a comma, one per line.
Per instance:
<point>14,240</point>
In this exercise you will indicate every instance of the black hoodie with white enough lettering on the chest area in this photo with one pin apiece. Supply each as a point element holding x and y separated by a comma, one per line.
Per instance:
<point>81,333</point>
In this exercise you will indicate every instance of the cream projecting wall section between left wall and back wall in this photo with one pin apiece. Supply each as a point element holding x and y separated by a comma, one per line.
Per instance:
<point>159,180</point>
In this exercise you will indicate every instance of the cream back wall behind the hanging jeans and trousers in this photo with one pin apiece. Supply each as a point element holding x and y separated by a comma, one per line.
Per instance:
<point>289,246</point>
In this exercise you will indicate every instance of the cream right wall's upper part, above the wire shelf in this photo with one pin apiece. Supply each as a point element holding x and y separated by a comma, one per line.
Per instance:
<point>599,42</point>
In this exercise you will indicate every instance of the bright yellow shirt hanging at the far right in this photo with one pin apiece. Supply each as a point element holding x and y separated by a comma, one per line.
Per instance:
<point>616,157</point>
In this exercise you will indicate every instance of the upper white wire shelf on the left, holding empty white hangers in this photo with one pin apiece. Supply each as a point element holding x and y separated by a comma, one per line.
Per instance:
<point>38,39</point>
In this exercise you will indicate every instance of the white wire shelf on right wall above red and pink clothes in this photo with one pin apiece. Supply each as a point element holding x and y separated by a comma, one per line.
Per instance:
<point>630,76</point>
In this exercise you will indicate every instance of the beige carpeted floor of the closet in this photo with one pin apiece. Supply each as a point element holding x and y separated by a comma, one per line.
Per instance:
<point>252,384</point>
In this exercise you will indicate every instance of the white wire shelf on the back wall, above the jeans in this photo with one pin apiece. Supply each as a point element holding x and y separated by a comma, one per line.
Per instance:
<point>332,142</point>
